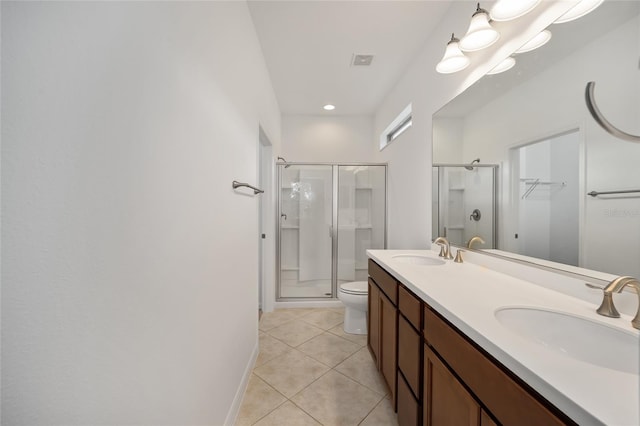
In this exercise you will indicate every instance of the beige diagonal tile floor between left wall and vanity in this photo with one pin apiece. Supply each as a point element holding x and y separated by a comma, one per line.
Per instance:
<point>310,372</point>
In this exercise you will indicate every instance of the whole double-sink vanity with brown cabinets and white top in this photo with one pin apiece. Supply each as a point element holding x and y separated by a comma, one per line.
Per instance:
<point>443,338</point>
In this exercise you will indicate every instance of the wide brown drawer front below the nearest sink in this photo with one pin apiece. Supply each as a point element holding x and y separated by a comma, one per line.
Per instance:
<point>509,401</point>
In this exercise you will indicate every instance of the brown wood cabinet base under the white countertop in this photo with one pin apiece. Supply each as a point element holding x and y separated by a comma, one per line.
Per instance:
<point>436,374</point>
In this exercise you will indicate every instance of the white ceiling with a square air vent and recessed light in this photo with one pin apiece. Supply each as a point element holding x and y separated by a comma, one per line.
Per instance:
<point>308,47</point>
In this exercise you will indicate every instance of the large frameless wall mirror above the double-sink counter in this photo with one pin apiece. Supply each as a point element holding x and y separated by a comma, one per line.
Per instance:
<point>533,122</point>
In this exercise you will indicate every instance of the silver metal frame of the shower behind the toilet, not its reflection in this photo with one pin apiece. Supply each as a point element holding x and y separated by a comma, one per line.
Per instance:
<point>335,167</point>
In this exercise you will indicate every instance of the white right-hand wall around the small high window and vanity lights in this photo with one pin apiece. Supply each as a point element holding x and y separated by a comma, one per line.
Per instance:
<point>409,157</point>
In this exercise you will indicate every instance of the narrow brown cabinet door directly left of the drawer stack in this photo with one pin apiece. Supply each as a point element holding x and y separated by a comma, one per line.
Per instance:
<point>388,344</point>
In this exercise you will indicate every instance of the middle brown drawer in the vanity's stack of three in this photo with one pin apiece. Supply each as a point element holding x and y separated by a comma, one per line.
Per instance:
<point>409,347</point>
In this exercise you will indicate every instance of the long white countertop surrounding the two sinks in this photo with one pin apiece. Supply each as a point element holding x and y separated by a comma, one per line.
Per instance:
<point>467,295</point>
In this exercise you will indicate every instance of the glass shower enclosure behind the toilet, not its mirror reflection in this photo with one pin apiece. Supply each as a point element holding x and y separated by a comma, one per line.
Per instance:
<point>328,216</point>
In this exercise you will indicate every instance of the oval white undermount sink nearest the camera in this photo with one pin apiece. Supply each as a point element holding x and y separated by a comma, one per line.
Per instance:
<point>576,337</point>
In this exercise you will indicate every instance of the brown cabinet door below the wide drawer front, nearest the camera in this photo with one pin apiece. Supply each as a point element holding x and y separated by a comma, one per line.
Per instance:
<point>446,401</point>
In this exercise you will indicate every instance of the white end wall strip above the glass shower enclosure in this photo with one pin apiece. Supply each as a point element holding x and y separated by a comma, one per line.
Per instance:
<point>327,138</point>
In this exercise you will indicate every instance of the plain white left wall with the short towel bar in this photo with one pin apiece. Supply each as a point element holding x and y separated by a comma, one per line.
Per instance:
<point>129,268</point>
